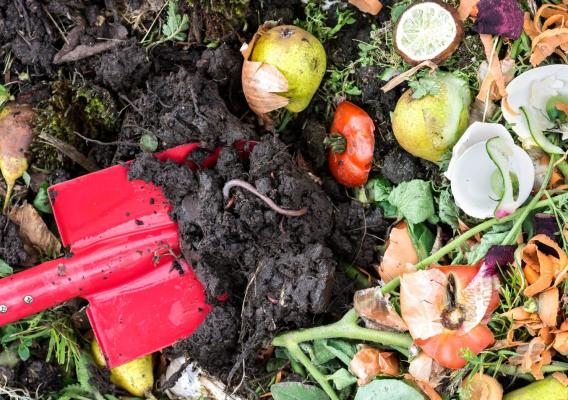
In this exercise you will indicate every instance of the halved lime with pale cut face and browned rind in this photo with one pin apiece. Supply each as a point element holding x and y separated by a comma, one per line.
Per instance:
<point>428,30</point>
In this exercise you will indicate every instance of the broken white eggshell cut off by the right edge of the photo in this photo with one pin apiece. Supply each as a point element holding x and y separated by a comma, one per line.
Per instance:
<point>532,89</point>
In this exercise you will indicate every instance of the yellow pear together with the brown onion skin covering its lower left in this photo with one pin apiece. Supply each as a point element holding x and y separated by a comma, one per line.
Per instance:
<point>283,67</point>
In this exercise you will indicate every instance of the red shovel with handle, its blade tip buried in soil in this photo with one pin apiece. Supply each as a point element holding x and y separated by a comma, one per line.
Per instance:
<point>123,259</point>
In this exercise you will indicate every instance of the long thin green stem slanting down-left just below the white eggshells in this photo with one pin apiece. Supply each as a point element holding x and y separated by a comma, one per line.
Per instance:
<point>454,244</point>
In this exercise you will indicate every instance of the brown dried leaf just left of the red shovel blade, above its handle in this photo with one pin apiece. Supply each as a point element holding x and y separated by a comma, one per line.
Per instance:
<point>34,230</point>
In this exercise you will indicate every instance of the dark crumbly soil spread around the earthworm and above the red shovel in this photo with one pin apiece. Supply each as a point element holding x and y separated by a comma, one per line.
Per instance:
<point>280,272</point>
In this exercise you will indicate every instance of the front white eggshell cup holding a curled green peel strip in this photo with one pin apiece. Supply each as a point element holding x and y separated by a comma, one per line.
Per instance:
<point>471,180</point>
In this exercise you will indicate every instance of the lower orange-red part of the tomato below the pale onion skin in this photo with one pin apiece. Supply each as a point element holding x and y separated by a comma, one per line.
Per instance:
<point>446,347</point>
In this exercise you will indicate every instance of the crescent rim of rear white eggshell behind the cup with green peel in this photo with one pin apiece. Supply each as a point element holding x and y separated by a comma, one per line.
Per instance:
<point>476,133</point>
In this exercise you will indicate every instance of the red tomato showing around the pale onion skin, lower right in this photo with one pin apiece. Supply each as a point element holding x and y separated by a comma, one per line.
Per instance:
<point>446,347</point>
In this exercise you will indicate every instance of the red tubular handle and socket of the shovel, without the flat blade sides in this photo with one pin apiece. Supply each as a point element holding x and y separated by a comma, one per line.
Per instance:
<point>91,271</point>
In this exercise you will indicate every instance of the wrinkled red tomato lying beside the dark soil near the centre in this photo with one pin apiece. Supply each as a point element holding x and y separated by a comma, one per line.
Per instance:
<point>351,167</point>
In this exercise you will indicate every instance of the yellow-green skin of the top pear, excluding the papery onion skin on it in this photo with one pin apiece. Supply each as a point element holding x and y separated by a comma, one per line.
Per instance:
<point>299,56</point>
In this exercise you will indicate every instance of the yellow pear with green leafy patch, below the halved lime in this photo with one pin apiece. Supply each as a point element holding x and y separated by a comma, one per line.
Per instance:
<point>430,125</point>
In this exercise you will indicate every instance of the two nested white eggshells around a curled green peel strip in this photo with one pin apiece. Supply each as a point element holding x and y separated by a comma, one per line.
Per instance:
<point>471,169</point>
